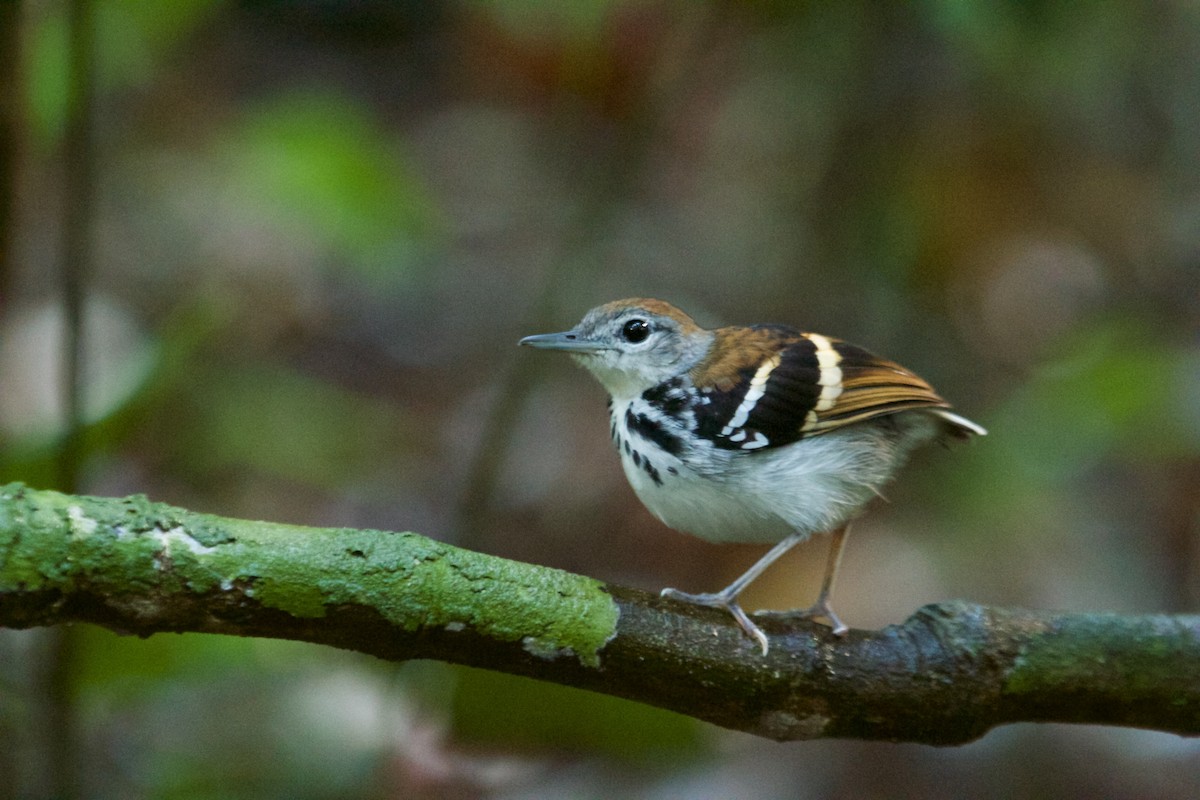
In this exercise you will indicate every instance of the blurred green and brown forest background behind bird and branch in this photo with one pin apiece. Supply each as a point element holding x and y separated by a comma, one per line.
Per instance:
<point>314,233</point>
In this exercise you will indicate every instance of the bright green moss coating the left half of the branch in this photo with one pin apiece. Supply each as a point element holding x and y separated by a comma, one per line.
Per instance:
<point>134,549</point>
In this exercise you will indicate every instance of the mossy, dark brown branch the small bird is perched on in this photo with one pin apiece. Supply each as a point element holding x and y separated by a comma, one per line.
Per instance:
<point>946,676</point>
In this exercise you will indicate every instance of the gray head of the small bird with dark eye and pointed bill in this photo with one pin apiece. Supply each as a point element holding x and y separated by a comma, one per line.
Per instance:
<point>629,348</point>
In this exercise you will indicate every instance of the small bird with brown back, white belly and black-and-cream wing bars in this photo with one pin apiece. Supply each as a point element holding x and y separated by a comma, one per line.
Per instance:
<point>753,434</point>
